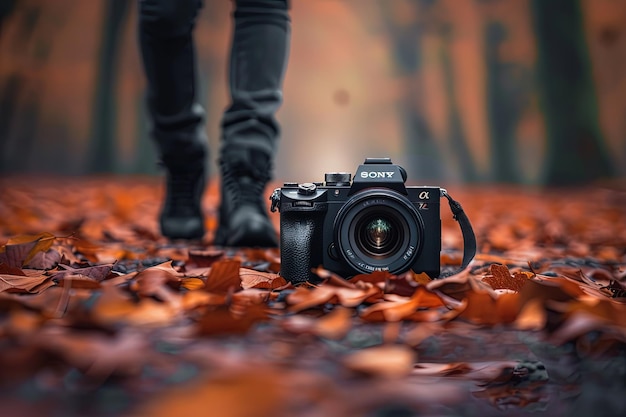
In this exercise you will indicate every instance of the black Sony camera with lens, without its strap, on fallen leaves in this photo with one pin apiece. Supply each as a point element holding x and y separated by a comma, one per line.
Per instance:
<point>373,222</point>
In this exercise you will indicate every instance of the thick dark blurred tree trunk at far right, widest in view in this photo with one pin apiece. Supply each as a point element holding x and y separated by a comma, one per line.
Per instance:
<point>576,150</point>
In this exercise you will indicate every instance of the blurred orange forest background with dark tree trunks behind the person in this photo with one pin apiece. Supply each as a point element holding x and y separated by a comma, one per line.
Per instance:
<point>509,91</point>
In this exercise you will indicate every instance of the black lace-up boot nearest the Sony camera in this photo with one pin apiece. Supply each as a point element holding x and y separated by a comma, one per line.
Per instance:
<point>244,221</point>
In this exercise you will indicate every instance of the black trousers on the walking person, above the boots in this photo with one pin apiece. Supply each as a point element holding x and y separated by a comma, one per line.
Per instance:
<point>258,59</point>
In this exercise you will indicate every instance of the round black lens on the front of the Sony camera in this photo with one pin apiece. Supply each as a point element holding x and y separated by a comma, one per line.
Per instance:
<point>378,229</point>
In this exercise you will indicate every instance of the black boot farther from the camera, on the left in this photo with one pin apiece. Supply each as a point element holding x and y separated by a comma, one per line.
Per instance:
<point>181,216</point>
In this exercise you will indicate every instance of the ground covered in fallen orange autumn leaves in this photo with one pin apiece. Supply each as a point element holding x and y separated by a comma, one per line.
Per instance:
<point>100,316</point>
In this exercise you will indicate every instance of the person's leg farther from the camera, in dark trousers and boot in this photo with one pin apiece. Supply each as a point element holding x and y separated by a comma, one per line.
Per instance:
<point>167,49</point>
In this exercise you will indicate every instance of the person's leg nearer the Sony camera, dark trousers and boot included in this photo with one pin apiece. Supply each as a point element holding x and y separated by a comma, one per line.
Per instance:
<point>250,131</point>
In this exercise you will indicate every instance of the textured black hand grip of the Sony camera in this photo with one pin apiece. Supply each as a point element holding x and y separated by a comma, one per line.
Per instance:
<point>300,238</point>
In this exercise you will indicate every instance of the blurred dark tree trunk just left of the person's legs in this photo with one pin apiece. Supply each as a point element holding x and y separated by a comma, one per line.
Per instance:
<point>102,156</point>
